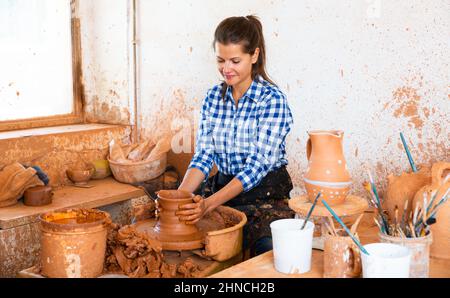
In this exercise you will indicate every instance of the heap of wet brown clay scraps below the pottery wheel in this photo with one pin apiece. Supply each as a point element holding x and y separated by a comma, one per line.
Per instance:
<point>136,255</point>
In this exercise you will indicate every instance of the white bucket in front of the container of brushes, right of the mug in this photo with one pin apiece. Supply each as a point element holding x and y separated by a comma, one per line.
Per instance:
<point>386,260</point>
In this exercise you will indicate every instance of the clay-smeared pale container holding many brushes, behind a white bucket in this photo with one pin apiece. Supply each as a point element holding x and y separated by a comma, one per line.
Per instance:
<point>420,252</point>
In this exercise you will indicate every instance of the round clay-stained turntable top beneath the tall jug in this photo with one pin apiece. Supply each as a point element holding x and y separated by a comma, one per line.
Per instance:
<point>351,206</point>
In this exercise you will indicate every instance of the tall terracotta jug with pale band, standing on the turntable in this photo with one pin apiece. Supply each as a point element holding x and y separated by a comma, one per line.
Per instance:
<point>327,170</point>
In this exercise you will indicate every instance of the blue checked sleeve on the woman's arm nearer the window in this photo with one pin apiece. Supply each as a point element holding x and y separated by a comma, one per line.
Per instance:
<point>203,156</point>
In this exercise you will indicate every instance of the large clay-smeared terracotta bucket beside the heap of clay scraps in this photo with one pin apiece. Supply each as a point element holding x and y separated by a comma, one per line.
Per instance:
<point>73,243</point>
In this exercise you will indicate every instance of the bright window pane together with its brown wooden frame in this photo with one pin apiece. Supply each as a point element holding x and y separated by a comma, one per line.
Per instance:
<point>38,64</point>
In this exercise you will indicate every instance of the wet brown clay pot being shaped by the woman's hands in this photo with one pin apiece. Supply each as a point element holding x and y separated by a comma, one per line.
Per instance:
<point>173,233</point>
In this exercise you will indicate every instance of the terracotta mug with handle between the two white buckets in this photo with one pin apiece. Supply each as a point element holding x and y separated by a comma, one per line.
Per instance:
<point>341,257</point>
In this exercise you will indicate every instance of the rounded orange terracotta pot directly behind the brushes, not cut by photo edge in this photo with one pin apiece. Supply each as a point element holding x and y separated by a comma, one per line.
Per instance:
<point>404,187</point>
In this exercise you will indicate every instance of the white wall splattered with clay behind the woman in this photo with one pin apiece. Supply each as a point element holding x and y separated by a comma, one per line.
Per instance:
<point>371,68</point>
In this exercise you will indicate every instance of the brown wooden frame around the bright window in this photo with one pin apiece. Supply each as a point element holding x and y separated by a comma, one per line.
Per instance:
<point>77,116</point>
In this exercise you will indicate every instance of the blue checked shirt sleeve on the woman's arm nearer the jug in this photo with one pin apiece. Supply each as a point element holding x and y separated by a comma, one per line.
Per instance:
<point>275,122</point>
